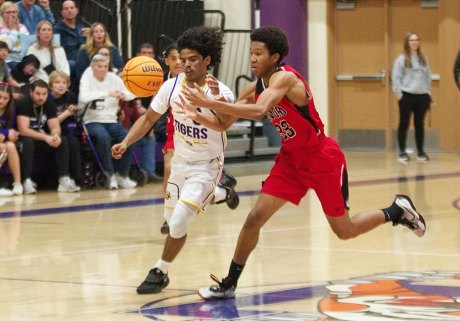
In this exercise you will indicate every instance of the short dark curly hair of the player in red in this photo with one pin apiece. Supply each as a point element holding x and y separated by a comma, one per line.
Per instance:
<point>274,38</point>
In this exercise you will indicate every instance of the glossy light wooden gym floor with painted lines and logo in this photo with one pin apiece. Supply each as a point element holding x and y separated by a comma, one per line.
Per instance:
<point>81,256</point>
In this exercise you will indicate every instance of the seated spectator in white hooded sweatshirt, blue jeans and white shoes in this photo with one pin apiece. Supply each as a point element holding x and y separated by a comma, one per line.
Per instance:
<point>100,93</point>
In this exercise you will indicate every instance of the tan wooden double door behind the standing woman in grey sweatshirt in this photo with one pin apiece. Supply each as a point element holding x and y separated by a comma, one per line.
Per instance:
<point>368,37</point>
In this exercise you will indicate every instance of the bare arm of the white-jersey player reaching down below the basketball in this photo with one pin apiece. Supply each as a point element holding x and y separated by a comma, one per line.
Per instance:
<point>142,125</point>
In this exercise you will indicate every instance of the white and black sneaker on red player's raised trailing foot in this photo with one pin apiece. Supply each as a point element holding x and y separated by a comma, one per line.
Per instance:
<point>410,218</point>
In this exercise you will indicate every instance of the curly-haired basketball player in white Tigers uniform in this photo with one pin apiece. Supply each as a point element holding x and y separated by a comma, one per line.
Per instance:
<point>199,144</point>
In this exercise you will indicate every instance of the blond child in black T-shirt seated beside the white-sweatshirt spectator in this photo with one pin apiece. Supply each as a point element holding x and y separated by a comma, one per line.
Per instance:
<point>66,104</point>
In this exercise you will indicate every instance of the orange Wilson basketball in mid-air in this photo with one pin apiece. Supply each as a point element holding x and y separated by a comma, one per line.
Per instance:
<point>142,76</point>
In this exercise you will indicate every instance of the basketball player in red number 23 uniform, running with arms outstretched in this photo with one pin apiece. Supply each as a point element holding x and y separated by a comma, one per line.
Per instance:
<point>307,158</point>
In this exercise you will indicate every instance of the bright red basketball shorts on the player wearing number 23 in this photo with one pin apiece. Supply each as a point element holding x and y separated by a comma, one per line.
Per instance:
<point>322,169</point>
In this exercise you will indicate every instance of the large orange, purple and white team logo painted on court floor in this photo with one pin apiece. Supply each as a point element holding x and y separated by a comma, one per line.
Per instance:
<point>381,297</point>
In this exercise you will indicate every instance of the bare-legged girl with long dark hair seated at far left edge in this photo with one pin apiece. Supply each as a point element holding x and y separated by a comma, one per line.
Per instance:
<point>9,136</point>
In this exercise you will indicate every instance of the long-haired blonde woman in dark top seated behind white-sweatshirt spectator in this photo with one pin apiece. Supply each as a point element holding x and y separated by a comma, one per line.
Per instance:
<point>96,38</point>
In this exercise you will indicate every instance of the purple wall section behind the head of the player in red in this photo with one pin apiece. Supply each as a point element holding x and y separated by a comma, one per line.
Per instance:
<point>291,16</point>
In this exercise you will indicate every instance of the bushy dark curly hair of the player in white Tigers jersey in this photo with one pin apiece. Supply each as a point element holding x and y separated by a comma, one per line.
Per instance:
<point>207,41</point>
